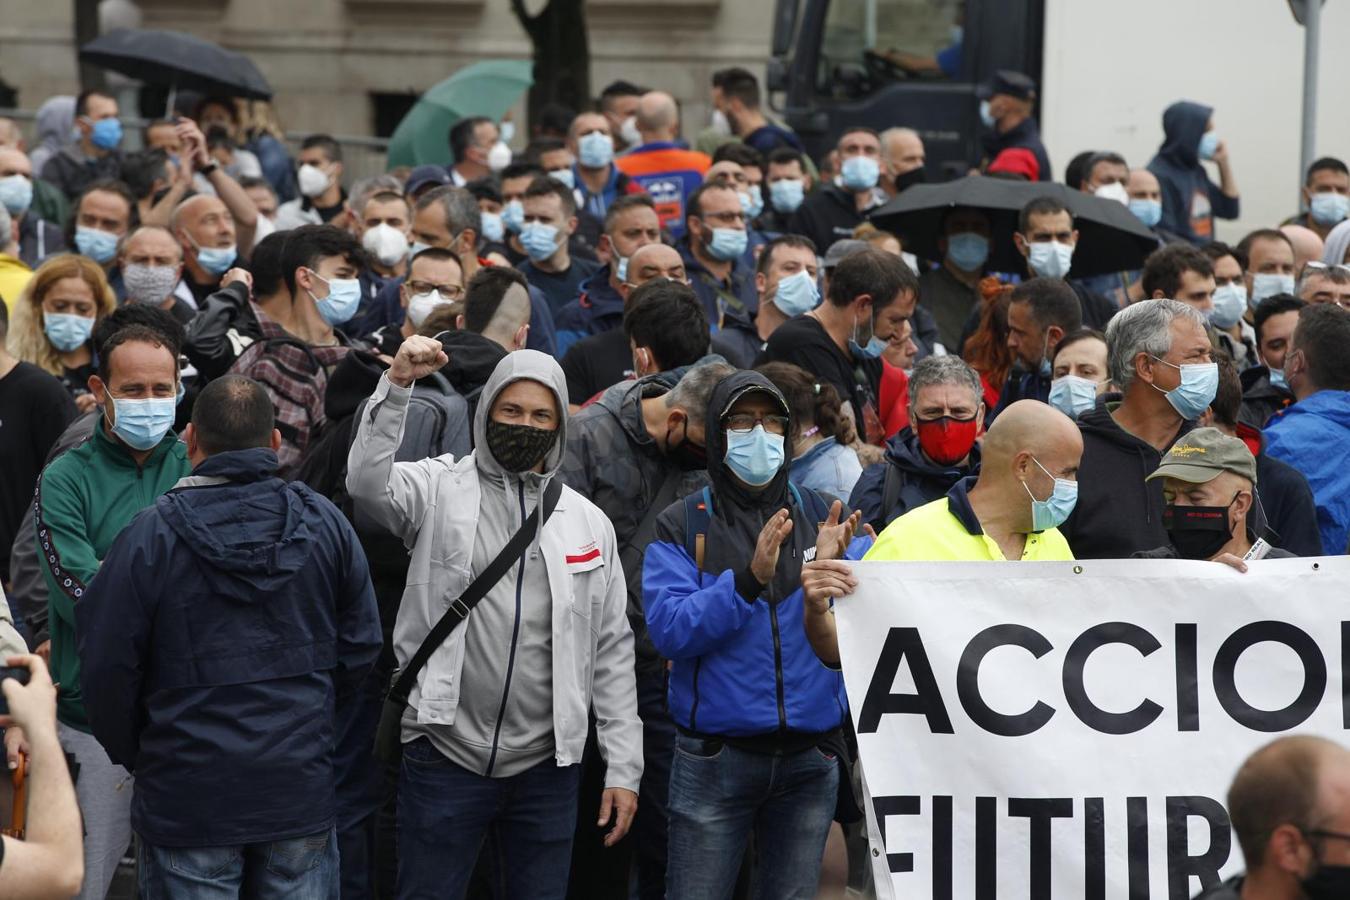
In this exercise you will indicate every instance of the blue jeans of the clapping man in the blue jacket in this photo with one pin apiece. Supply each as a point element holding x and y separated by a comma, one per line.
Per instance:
<point>719,795</point>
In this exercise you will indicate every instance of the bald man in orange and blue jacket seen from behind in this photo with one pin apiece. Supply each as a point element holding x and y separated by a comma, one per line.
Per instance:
<point>664,165</point>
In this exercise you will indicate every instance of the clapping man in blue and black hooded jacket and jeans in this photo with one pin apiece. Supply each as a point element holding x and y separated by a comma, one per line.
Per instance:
<point>759,720</point>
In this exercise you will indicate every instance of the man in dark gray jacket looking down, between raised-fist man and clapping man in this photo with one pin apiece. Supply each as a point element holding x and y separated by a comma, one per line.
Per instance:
<point>634,453</point>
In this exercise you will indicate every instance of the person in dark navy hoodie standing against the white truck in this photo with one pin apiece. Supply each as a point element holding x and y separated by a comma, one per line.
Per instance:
<point>1190,200</point>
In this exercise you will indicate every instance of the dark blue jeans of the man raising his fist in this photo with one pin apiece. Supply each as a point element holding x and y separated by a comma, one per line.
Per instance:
<point>446,812</point>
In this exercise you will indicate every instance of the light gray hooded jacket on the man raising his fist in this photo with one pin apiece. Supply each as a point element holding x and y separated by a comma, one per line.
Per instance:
<point>515,685</point>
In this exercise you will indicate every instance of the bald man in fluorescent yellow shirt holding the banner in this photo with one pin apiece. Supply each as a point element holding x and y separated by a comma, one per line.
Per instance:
<point>1027,486</point>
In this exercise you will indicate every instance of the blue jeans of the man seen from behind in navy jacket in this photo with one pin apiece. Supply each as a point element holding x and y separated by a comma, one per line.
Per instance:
<point>298,870</point>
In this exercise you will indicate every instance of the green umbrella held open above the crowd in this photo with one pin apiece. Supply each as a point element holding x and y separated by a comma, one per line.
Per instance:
<point>487,88</point>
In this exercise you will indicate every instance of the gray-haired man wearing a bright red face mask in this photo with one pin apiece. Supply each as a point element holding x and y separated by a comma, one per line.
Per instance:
<point>935,451</point>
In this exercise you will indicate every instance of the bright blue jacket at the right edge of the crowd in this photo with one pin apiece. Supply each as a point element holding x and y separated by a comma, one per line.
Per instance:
<point>1301,437</point>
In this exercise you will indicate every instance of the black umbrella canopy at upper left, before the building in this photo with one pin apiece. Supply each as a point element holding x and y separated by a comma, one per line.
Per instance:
<point>178,60</point>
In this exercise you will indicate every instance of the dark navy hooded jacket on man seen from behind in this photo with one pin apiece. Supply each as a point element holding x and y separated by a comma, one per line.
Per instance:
<point>221,639</point>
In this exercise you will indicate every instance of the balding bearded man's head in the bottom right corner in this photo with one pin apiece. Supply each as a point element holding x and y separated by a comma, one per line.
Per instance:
<point>1290,806</point>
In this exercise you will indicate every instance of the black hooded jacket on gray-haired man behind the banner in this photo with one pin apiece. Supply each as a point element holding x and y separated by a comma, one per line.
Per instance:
<point>1118,513</point>
